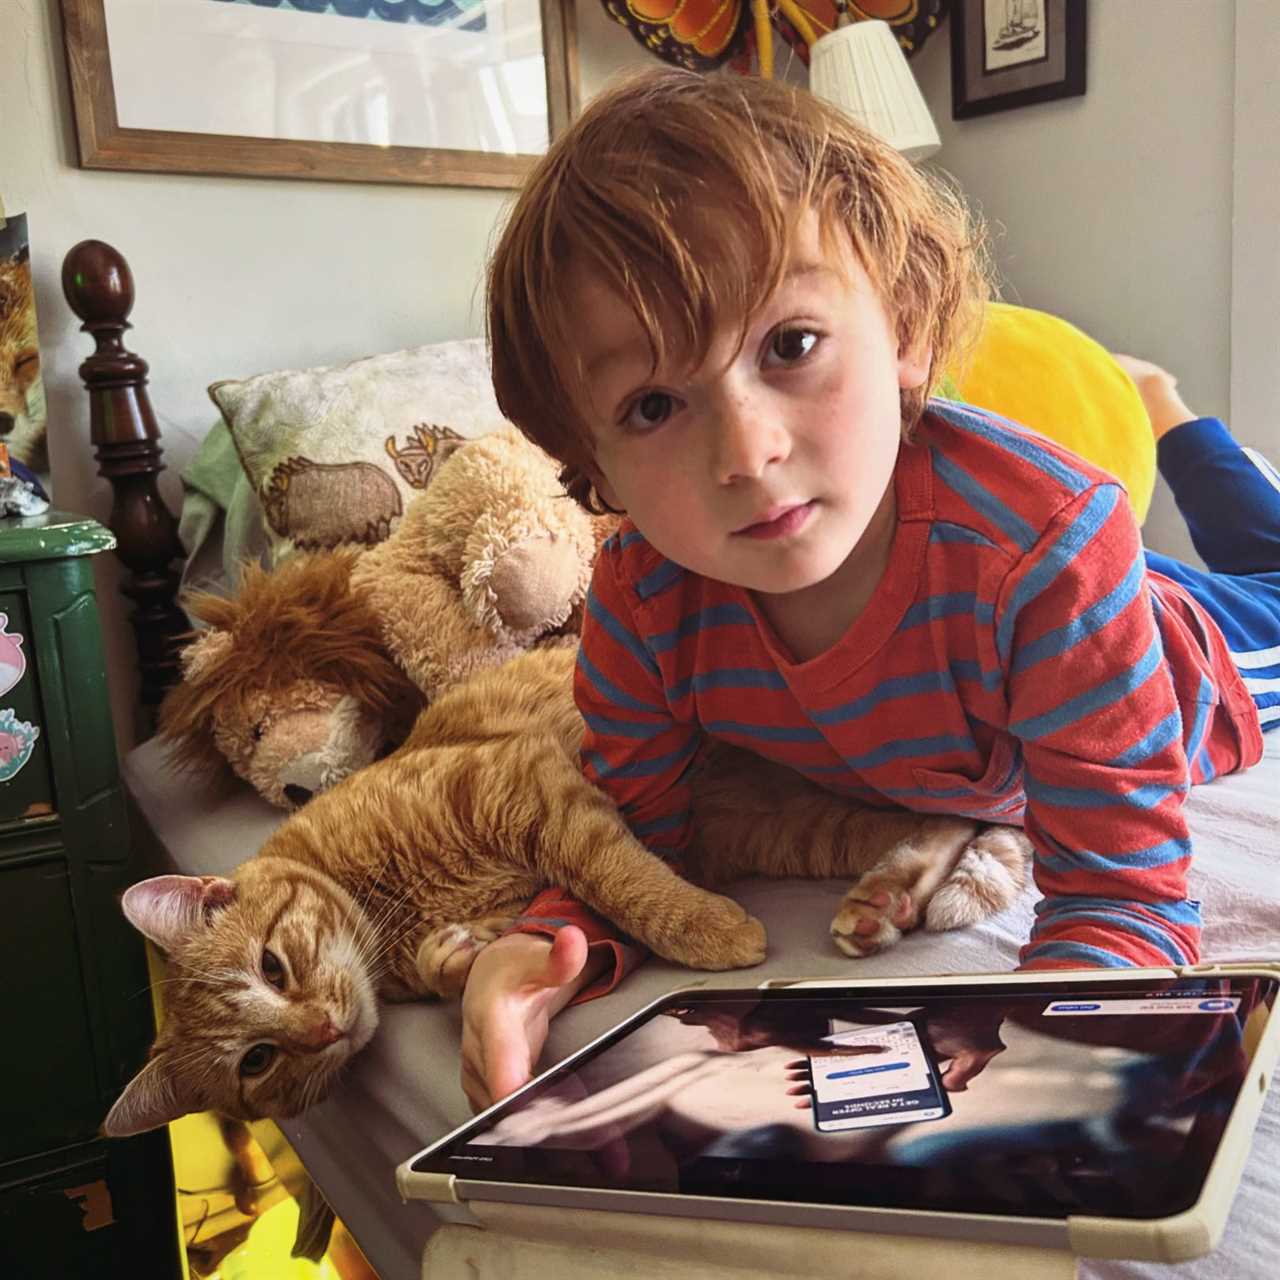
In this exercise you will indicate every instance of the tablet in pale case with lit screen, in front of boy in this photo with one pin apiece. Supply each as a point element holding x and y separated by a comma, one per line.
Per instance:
<point>1103,1112</point>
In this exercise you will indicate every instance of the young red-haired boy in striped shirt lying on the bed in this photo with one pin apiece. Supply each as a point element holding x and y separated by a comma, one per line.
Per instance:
<point>720,305</point>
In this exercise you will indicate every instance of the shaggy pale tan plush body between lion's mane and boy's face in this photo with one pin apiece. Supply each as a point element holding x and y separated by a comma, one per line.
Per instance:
<point>491,561</point>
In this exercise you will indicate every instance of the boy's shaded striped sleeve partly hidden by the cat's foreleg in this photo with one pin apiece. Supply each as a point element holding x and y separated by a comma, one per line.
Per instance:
<point>633,751</point>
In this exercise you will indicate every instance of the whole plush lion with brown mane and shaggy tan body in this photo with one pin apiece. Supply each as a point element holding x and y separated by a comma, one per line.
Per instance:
<point>316,670</point>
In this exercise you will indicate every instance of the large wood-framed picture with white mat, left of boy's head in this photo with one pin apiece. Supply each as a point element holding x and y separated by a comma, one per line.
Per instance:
<point>450,93</point>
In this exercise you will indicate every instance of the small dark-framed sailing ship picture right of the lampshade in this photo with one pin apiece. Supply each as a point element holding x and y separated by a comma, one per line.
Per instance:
<point>1014,53</point>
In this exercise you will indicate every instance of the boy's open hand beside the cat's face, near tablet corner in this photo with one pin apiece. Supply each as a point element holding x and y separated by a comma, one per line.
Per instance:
<point>516,986</point>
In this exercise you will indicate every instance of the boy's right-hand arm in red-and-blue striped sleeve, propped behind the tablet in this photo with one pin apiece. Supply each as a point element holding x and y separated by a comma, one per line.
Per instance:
<point>1092,703</point>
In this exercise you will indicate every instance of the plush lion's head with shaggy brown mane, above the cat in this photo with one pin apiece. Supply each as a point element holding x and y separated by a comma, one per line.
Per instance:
<point>290,683</point>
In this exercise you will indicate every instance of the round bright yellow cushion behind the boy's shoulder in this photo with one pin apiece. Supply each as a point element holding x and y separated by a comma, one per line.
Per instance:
<point>1046,374</point>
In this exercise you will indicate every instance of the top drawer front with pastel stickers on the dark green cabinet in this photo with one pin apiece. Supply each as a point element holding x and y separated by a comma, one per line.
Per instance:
<point>26,771</point>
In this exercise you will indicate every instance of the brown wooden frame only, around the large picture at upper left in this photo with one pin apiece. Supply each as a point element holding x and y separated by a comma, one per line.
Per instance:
<point>106,144</point>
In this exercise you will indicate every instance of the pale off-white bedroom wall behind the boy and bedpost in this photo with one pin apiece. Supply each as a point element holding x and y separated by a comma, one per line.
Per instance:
<point>1117,212</point>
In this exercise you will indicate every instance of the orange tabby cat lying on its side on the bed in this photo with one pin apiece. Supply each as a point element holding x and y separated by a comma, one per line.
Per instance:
<point>386,886</point>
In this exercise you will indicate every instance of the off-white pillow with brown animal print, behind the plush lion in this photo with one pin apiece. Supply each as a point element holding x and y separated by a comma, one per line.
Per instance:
<point>337,454</point>
